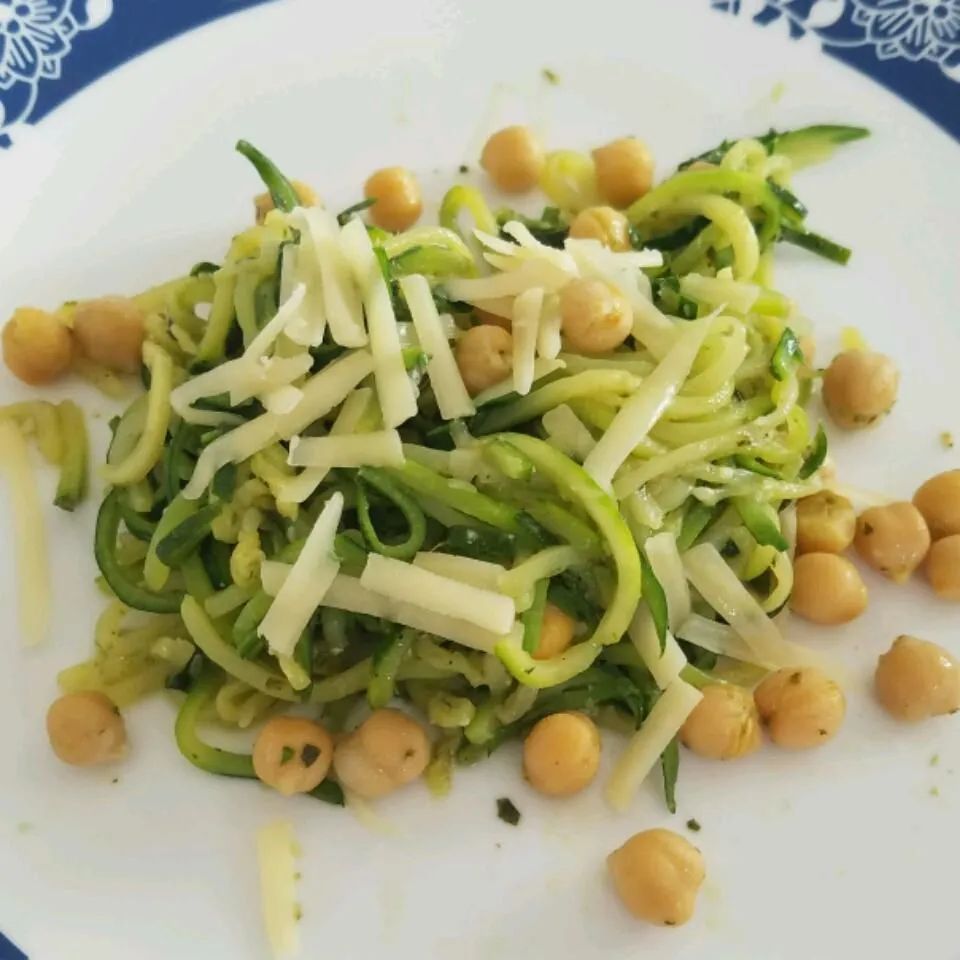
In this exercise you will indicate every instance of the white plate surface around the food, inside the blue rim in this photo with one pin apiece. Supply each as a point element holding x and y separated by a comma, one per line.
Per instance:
<point>841,852</point>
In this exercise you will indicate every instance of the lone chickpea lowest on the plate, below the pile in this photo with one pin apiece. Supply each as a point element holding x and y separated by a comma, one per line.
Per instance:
<point>658,874</point>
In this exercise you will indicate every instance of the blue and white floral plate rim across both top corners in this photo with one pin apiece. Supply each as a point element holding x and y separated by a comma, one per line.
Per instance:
<point>50,49</point>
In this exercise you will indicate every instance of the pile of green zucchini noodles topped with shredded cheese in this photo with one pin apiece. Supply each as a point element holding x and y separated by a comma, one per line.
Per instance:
<point>313,503</point>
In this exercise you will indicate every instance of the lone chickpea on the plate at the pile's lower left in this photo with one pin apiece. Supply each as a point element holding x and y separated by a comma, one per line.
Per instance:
<point>85,729</point>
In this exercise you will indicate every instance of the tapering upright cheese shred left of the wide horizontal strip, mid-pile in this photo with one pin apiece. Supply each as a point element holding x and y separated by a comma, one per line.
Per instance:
<point>306,584</point>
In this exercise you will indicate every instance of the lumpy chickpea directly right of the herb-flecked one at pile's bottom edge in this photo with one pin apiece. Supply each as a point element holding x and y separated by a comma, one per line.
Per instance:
<point>387,751</point>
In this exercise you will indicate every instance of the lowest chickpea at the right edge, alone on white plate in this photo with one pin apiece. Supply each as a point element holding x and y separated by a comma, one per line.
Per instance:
<point>916,679</point>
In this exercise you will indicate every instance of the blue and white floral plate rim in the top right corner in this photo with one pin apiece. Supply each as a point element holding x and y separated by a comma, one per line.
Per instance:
<point>912,47</point>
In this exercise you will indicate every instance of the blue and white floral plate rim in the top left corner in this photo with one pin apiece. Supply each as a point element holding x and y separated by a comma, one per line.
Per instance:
<point>51,49</point>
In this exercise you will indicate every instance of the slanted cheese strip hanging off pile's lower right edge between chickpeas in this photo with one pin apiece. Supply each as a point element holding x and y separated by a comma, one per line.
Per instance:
<point>664,721</point>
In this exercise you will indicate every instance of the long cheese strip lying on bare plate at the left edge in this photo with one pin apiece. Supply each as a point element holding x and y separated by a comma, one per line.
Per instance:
<point>29,536</point>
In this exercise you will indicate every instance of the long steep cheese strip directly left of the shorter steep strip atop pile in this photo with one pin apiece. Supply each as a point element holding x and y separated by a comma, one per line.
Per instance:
<point>398,402</point>
